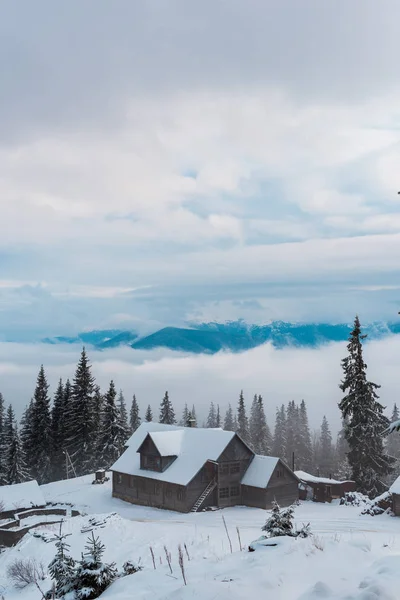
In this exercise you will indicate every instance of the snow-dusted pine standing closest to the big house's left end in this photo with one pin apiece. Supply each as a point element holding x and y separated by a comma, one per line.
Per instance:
<point>112,439</point>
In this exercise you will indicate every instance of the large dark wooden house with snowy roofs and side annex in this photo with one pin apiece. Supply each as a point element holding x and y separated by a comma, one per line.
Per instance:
<point>187,469</point>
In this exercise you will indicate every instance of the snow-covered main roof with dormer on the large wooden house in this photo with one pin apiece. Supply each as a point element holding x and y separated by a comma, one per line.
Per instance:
<point>193,447</point>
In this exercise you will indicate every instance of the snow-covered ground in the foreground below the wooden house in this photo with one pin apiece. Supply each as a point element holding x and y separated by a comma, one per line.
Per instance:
<point>350,557</point>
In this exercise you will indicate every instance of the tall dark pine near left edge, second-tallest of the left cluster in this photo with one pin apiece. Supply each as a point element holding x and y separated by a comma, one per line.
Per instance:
<point>40,444</point>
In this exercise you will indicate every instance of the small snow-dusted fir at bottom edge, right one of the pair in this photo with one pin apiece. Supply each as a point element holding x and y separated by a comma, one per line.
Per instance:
<point>92,576</point>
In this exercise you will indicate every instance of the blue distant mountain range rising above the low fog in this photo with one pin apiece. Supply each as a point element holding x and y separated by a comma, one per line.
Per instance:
<point>233,336</point>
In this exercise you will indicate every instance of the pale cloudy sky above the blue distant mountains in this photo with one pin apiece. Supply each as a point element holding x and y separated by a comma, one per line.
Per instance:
<point>162,161</point>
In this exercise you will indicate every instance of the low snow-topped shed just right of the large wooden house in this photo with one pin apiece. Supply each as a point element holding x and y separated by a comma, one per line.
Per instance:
<point>322,489</point>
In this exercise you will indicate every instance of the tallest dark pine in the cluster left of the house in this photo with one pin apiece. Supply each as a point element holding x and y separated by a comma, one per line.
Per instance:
<point>81,441</point>
